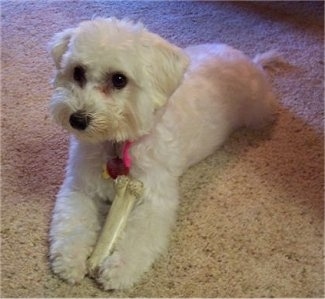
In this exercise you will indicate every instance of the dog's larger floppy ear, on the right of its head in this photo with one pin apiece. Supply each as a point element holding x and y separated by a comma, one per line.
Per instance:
<point>166,65</point>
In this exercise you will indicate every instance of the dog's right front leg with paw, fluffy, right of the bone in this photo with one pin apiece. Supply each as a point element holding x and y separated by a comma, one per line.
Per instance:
<point>145,237</point>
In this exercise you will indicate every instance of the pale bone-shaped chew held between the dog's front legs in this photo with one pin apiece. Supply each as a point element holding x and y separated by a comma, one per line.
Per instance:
<point>128,193</point>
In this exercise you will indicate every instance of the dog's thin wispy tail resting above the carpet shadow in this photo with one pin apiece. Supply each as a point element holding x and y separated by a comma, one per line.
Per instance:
<point>271,60</point>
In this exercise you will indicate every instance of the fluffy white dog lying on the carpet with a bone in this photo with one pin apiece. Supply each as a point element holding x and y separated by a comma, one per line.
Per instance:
<point>118,85</point>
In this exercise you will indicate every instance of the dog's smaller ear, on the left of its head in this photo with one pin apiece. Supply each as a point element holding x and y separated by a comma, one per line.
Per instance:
<point>59,45</point>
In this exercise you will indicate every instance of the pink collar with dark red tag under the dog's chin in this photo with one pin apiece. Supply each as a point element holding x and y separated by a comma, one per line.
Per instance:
<point>121,163</point>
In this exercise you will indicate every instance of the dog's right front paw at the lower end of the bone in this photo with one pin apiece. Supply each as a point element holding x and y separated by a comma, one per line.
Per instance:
<point>117,273</point>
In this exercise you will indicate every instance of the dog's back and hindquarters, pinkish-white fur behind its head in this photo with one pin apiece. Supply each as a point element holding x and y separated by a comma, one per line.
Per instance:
<point>222,90</point>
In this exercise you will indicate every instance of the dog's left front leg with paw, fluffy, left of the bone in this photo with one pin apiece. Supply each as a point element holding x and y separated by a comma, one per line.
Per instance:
<point>73,233</point>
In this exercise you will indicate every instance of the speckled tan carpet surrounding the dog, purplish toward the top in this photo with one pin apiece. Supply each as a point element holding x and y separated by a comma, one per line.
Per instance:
<point>251,217</point>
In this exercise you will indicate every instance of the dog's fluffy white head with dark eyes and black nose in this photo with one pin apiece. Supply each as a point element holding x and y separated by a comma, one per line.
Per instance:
<point>112,77</point>
